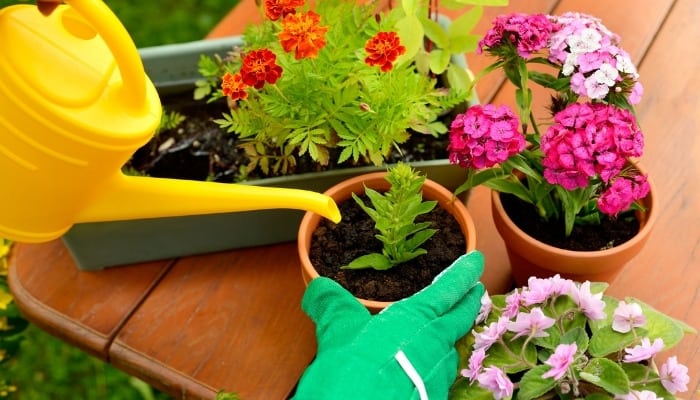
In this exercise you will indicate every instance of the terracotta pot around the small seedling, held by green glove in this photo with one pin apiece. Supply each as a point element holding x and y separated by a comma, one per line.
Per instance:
<point>343,190</point>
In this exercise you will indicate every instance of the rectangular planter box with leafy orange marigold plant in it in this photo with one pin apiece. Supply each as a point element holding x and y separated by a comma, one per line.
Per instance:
<point>130,241</point>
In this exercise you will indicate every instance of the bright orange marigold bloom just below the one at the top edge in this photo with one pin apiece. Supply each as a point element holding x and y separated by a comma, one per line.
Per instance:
<point>302,34</point>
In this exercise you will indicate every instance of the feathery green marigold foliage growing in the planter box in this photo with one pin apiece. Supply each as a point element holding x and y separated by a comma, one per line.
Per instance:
<point>334,101</point>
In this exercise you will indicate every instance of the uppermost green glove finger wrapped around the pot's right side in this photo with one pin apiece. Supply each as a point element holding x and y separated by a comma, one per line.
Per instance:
<point>448,288</point>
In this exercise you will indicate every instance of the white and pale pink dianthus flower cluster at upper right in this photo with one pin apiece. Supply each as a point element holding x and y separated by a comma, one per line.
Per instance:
<point>592,56</point>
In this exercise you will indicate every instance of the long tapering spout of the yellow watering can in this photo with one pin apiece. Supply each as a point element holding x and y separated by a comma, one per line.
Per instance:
<point>130,197</point>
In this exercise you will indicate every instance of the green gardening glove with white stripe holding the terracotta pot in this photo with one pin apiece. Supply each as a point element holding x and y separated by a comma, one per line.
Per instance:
<point>404,352</point>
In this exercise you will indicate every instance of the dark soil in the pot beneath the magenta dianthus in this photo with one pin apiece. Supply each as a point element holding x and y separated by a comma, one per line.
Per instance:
<point>612,231</point>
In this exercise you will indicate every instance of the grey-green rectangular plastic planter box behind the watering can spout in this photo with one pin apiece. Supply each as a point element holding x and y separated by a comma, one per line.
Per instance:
<point>94,246</point>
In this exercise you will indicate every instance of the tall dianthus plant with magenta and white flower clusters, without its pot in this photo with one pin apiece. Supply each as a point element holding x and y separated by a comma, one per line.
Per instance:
<point>574,167</point>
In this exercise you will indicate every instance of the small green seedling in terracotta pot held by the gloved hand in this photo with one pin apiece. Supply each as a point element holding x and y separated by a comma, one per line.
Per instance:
<point>399,230</point>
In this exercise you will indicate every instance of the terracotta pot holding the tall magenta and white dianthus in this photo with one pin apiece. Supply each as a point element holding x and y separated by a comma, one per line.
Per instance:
<point>530,257</point>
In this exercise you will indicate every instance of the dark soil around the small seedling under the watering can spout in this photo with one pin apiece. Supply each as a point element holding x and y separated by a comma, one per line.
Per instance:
<point>335,245</point>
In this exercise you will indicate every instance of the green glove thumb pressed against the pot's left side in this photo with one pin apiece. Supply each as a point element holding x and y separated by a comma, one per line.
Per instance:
<point>337,313</point>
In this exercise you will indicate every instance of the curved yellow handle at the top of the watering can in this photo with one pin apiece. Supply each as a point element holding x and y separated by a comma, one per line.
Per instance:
<point>119,42</point>
